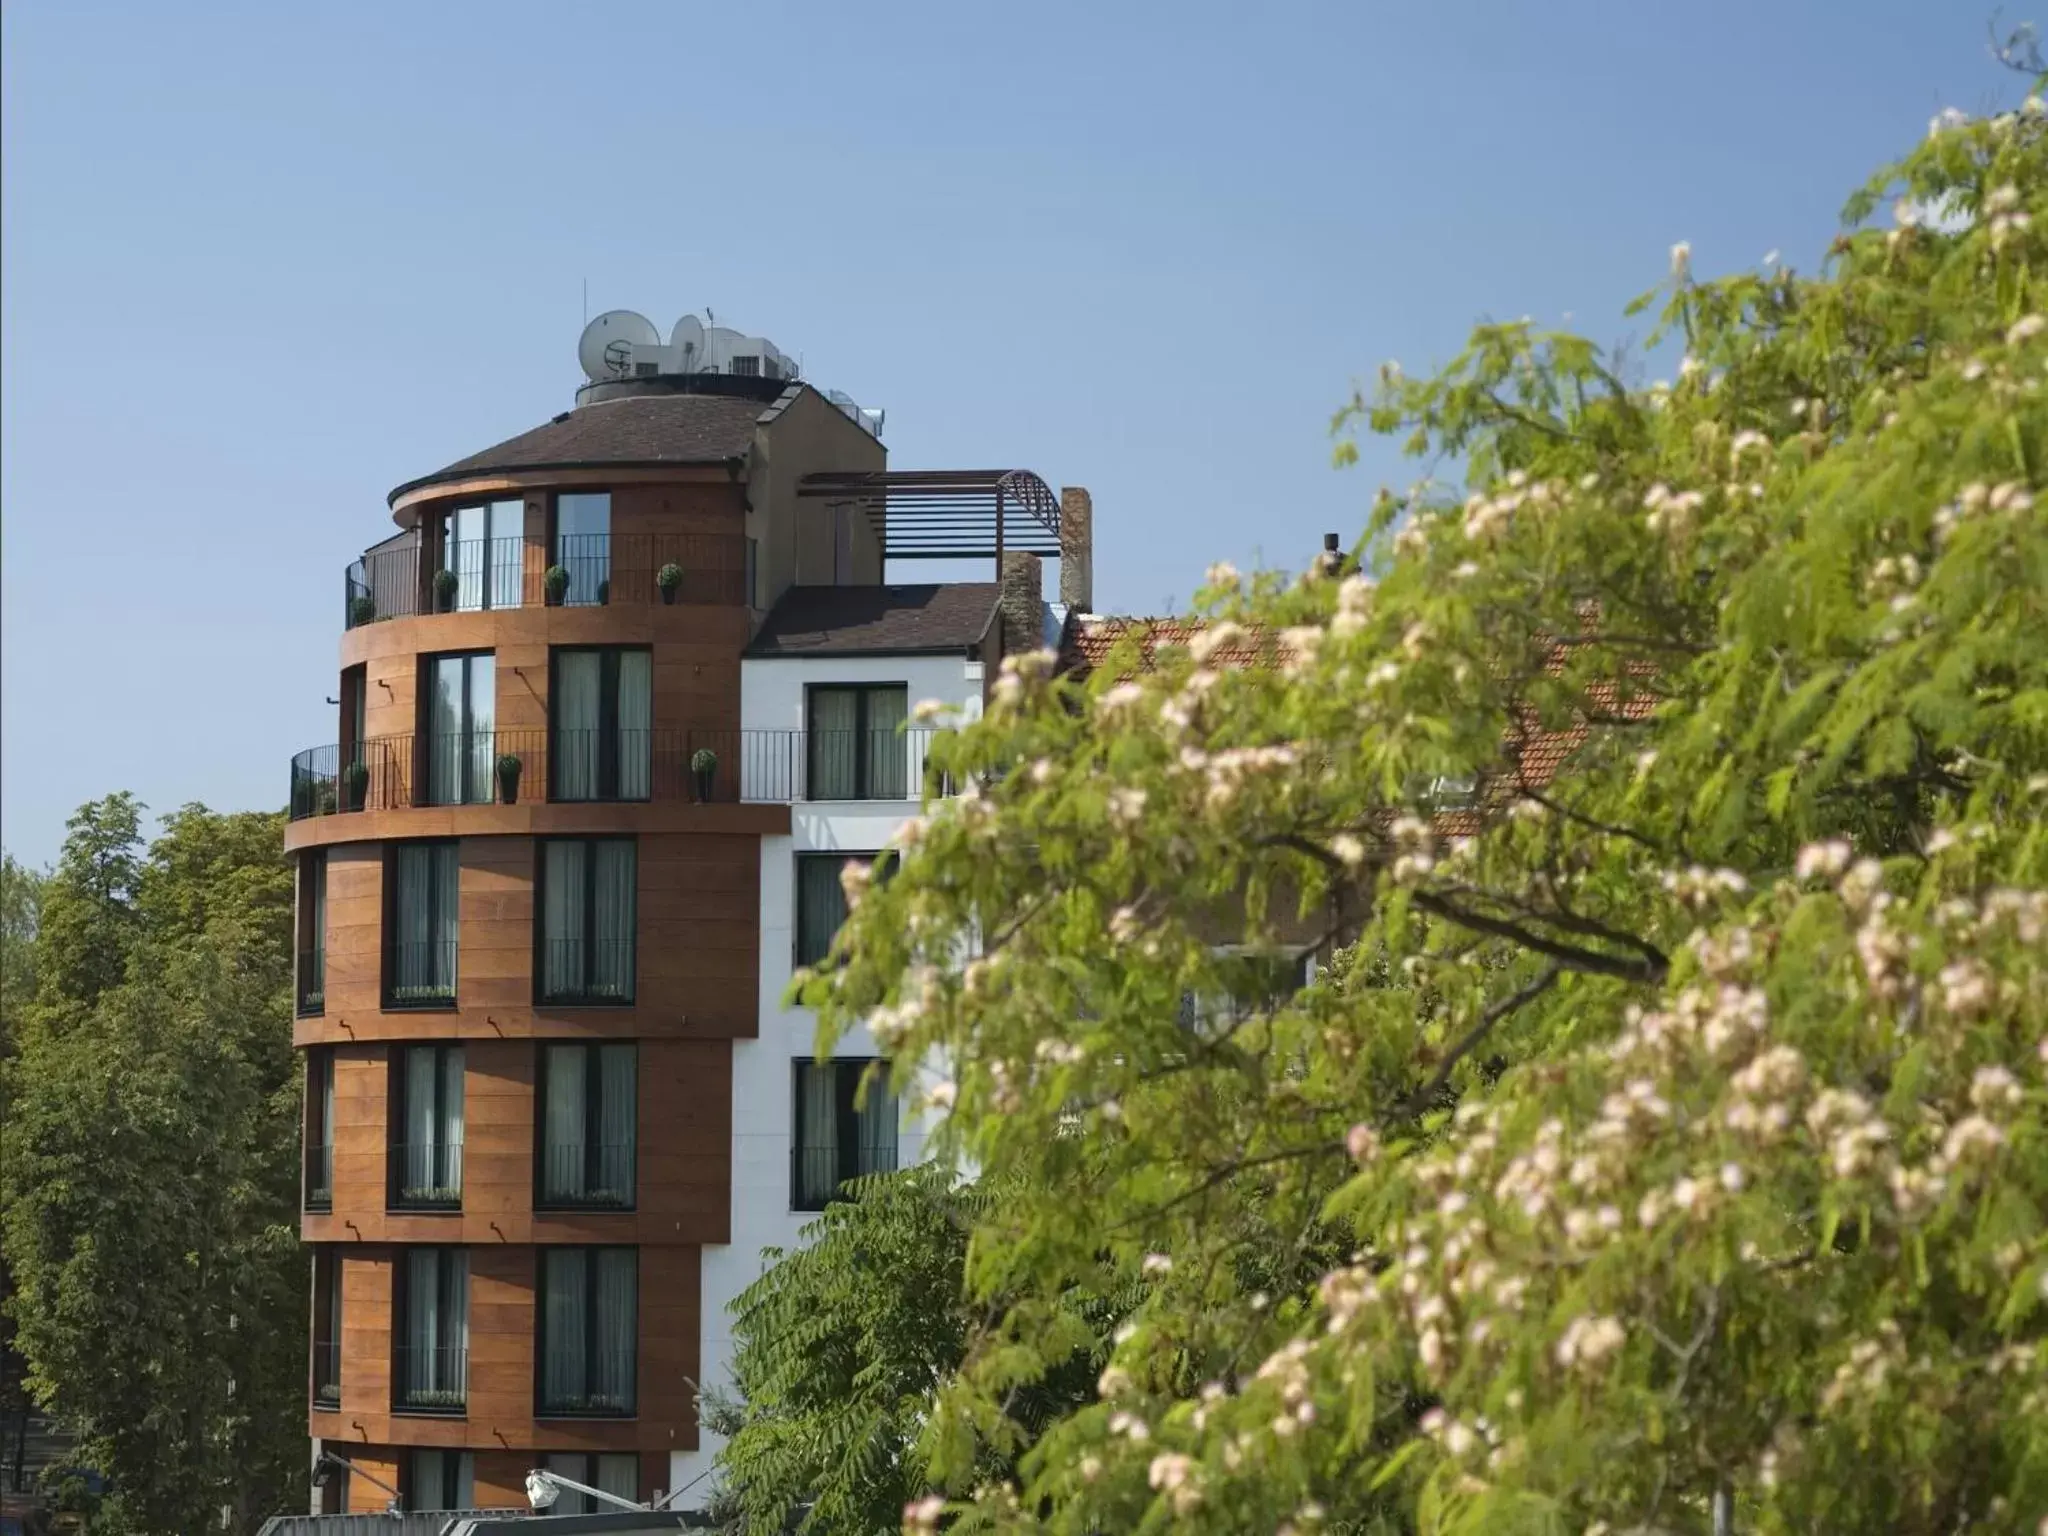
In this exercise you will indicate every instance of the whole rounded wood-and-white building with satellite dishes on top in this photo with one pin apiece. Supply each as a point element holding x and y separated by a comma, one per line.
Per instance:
<point>615,703</point>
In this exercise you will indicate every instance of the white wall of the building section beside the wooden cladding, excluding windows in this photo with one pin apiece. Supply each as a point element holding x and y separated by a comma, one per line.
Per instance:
<point>773,697</point>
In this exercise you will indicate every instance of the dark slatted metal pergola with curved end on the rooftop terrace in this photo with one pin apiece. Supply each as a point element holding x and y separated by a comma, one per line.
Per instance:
<point>949,513</point>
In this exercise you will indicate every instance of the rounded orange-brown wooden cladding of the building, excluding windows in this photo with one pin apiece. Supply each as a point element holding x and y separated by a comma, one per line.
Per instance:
<point>697,976</point>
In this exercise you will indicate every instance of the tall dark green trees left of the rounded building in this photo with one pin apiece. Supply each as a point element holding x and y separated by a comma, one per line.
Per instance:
<point>151,1168</point>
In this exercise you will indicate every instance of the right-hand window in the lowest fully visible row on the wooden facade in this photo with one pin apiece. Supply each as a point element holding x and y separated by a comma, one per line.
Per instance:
<point>589,1330</point>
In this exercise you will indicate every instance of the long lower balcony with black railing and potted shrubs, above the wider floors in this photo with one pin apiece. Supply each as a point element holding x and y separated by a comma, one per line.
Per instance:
<point>611,767</point>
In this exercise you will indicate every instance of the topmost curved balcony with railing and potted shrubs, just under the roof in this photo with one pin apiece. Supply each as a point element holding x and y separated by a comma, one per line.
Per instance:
<point>484,574</point>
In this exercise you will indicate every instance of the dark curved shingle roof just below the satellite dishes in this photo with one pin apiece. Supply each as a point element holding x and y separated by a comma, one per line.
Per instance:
<point>640,431</point>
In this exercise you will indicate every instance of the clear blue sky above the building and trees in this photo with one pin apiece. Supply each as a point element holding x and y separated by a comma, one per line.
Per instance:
<point>263,263</point>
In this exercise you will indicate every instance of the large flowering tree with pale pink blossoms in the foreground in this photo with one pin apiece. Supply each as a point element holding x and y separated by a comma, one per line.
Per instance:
<point>1664,1146</point>
